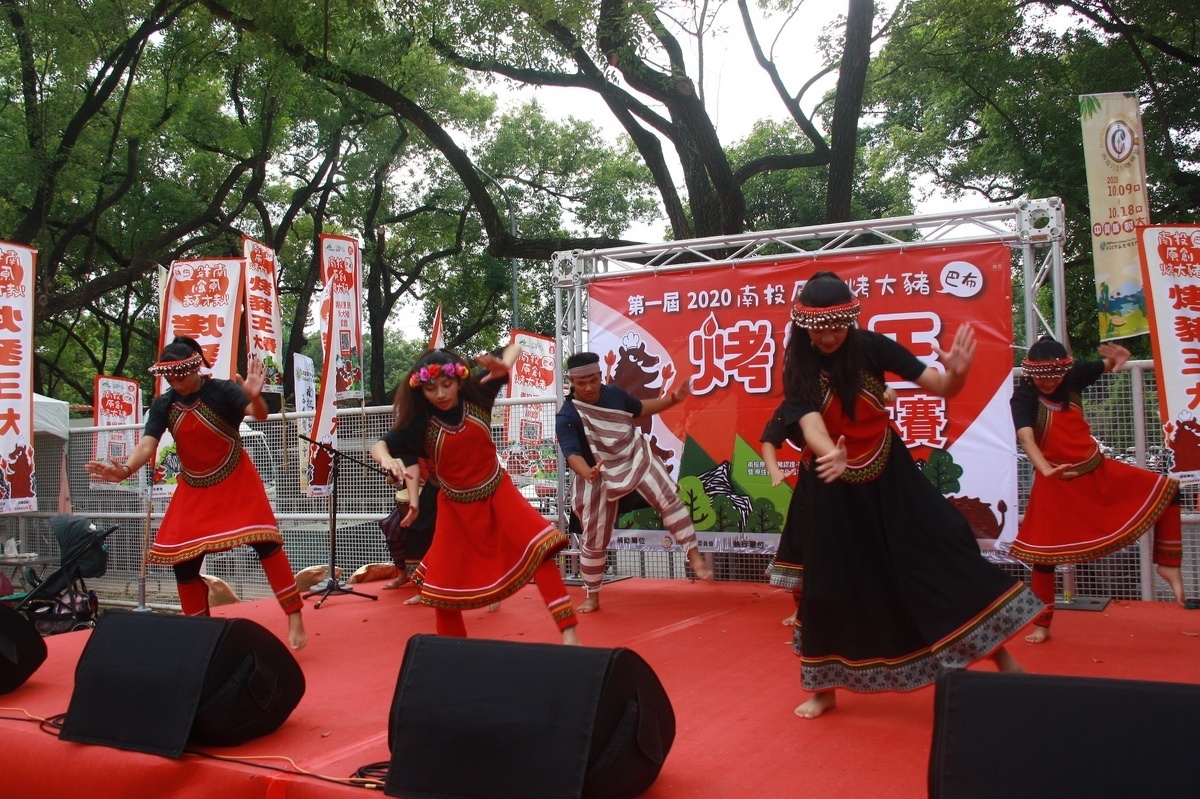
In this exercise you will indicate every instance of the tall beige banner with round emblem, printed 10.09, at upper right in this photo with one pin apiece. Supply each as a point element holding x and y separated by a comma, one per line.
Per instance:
<point>1115,160</point>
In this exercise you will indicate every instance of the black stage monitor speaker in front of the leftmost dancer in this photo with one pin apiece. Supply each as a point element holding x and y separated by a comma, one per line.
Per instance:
<point>154,683</point>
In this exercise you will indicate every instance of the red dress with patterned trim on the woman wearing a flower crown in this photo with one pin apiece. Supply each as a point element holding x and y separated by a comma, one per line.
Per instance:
<point>489,540</point>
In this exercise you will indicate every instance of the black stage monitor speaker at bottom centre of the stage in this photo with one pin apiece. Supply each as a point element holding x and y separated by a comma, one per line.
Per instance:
<point>506,720</point>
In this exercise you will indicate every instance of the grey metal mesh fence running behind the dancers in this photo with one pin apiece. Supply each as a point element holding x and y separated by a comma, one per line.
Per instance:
<point>1121,408</point>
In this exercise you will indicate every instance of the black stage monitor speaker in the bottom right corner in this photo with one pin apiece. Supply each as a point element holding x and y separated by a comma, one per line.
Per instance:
<point>1052,737</point>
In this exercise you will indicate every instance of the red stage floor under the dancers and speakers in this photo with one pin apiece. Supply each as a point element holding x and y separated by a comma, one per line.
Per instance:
<point>719,651</point>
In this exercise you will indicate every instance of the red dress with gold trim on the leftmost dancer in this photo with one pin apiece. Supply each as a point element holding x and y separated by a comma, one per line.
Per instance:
<point>220,502</point>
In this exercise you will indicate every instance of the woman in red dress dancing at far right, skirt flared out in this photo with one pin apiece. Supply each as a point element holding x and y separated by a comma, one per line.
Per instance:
<point>1083,506</point>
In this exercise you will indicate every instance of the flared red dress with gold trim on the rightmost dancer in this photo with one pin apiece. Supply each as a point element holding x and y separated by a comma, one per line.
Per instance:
<point>1106,509</point>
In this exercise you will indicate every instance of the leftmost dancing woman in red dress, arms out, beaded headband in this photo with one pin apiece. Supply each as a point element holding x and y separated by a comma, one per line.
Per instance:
<point>220,502</point>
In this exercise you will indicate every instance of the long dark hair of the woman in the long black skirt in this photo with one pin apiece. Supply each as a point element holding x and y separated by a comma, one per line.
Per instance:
<point>802,361</point>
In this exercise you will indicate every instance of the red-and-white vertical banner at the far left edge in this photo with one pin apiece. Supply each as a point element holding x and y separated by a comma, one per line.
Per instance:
<point>19,479</point>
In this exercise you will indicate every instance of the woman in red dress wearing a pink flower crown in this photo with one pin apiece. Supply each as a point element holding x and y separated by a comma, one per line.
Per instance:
<point>489,542</point>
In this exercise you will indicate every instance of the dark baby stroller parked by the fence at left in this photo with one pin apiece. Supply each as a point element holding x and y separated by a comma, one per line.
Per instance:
<point>62,602</point>
